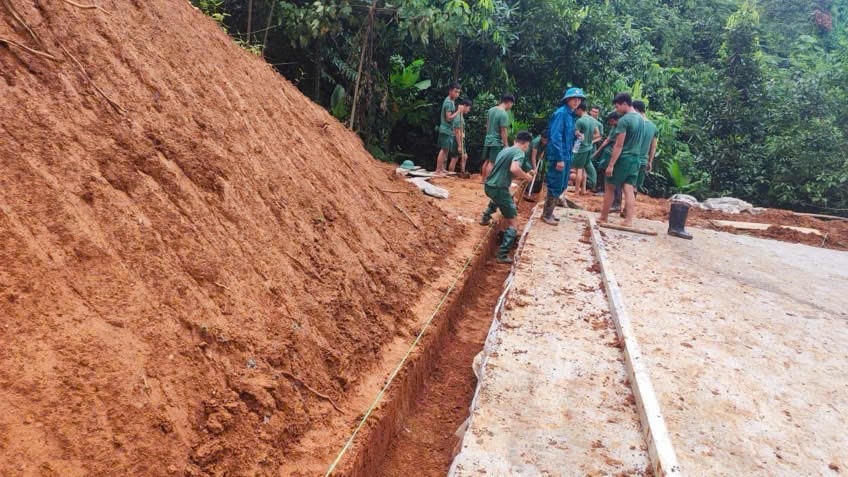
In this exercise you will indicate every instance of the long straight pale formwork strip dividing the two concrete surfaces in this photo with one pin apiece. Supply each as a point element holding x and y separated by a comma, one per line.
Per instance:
<point>663,457</point>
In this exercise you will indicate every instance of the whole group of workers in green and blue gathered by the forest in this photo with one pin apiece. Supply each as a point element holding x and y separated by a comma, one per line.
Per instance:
<point>567,151</point>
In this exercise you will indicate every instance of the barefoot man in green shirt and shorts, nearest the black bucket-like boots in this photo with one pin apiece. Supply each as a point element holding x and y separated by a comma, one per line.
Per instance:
<point>623,168</point>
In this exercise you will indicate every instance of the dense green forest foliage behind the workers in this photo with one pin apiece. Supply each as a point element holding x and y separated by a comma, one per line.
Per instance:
<point>747,95</point>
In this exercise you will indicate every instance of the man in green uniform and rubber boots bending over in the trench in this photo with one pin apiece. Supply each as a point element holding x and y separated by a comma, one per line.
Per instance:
<point>510,163</point>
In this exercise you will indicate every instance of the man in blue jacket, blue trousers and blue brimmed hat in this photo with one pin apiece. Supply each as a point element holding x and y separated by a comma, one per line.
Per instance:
<point>559,150</point>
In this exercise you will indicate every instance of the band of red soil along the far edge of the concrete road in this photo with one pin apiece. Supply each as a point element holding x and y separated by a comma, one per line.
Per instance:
<point>834,232</point>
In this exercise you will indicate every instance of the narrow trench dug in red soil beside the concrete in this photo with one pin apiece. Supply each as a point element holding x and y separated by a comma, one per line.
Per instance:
<point>412,430</point>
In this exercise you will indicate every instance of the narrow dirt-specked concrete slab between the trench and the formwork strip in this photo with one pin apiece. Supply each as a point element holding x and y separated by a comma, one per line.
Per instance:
<point>553,396</point>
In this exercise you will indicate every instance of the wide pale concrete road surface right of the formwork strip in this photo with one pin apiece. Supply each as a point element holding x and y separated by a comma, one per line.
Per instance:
<point>746,341</point>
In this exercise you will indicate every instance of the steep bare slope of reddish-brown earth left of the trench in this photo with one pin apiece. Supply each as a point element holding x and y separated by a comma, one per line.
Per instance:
<point>195,258</point>
